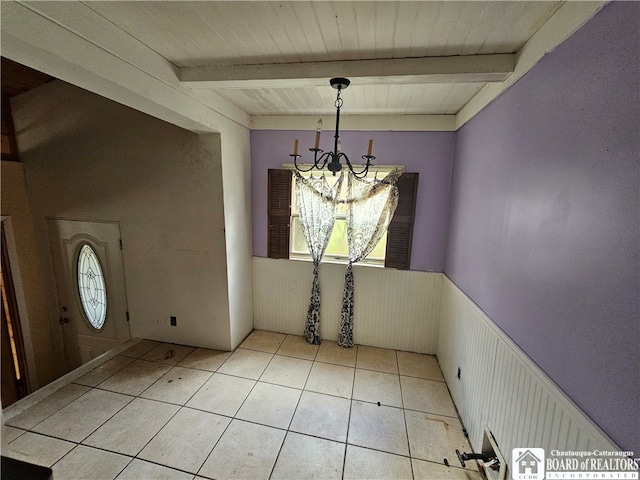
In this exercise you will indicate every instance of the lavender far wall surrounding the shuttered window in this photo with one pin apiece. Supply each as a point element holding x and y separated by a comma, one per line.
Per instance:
<point>429,153</point>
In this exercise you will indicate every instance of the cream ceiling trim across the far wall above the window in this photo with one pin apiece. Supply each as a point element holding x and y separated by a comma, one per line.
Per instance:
<point>398,123</point>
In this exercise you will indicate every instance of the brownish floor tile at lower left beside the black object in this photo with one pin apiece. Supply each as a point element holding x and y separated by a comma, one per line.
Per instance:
<point>38,449</point>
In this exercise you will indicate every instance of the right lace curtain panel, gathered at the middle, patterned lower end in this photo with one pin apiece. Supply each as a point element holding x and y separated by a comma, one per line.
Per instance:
<point>370,208</point>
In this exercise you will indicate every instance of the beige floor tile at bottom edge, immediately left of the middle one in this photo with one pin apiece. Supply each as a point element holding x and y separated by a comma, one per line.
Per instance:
<point>245,451</point>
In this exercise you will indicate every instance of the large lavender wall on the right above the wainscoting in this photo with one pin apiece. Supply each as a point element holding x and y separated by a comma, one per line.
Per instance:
<point>544,232</point>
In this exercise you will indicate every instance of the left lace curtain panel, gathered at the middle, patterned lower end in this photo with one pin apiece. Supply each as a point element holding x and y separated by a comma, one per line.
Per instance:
<point>317,203</point>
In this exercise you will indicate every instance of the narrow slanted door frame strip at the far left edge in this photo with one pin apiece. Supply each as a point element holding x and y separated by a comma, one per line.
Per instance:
<point>25,324</point>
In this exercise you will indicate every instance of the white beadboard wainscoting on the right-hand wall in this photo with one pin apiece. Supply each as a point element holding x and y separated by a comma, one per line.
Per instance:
<point>501,389</point>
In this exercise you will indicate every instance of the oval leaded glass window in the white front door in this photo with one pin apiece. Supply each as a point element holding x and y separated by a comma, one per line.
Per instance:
<point>91,287</point>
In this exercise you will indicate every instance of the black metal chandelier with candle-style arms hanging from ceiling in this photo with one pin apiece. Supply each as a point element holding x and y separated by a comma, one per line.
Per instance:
<point>331,160</point>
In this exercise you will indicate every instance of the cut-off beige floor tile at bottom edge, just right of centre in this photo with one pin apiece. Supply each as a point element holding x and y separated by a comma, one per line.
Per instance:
<point>370,464</point>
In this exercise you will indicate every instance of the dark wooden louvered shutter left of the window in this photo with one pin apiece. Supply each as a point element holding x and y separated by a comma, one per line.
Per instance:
<point>279,213</point>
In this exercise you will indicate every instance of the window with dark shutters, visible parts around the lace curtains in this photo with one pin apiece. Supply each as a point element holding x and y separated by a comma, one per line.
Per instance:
<point>285,239</point>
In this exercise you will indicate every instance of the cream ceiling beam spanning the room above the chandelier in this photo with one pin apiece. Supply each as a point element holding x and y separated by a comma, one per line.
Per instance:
<point>457,69</point>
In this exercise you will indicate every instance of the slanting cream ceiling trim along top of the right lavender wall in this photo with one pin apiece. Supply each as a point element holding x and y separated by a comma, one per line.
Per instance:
<point>564,23</point>
